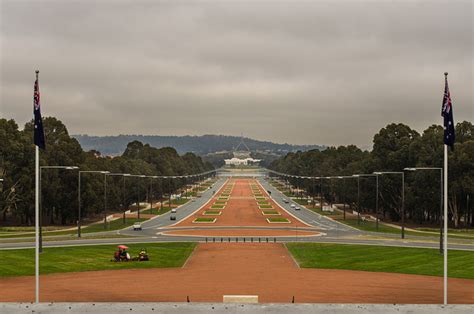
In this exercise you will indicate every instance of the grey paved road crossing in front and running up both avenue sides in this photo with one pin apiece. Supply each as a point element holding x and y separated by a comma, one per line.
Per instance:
<point>333,231</point>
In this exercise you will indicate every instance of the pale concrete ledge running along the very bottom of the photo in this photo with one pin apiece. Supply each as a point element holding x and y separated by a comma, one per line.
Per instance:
<point>205,308</point>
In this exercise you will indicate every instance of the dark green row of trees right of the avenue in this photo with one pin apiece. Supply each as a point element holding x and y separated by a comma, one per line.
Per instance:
<point>395,148</point>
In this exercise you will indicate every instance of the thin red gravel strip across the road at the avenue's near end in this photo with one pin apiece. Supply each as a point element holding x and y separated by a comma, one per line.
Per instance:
<point>242,233</point>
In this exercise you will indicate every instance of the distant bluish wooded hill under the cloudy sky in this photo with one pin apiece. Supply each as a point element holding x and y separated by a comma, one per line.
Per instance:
<point>201,145</point>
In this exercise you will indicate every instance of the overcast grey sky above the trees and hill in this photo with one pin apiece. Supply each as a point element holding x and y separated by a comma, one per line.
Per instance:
<point>303,72</point>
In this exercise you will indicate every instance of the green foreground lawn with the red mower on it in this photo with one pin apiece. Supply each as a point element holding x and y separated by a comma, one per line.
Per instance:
<point>87,258</point>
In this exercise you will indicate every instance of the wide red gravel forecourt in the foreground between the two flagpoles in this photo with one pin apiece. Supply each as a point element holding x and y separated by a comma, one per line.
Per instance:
<point>266,270</point>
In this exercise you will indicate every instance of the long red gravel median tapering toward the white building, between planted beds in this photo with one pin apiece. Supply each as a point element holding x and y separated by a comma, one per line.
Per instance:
<point>242,209</point>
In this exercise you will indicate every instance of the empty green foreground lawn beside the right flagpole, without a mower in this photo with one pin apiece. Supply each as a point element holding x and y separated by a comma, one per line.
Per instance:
<point>382,259</point>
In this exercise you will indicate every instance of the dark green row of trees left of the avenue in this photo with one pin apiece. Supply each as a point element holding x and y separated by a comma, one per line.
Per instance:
<point>59,186</point>
